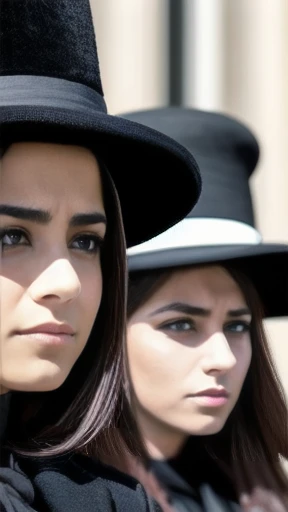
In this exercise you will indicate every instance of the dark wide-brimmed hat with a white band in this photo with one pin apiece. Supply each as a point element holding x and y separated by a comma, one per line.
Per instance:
<point>221,228</point>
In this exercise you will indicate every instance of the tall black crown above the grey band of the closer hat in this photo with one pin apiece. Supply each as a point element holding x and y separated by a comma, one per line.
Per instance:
<point>52,38</point>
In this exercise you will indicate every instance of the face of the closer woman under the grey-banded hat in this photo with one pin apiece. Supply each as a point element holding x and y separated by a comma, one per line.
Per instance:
<point>52,225</point>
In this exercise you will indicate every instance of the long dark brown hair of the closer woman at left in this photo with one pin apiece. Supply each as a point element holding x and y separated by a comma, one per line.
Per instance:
<point>89,412</point>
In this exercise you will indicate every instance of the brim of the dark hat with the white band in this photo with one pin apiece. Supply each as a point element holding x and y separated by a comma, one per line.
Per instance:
<point>265,264</point>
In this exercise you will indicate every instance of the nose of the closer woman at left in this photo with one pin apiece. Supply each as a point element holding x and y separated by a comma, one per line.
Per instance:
<point>59,282</point>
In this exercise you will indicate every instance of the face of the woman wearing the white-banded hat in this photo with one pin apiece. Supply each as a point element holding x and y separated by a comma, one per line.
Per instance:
<point>189,351</point>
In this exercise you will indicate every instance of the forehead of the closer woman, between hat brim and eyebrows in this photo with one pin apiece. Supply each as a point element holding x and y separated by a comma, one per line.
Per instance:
<point>50,173</point>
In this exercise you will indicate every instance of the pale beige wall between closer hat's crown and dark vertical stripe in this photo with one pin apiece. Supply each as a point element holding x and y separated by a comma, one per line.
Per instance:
<point>132,36</point>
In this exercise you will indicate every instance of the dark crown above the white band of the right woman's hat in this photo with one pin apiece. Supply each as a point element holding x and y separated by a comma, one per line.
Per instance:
<point>225,150</point>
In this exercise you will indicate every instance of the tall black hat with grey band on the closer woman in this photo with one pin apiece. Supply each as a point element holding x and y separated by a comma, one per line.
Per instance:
<point>50,90</point>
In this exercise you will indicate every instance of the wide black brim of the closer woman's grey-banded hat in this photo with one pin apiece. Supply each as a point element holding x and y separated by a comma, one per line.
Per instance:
<point>157,180</point>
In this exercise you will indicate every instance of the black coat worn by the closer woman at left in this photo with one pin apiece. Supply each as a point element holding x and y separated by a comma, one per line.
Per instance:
<point>64,484</point>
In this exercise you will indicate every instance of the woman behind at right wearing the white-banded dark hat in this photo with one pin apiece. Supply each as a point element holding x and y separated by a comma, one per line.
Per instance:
<point>205,390</point>
